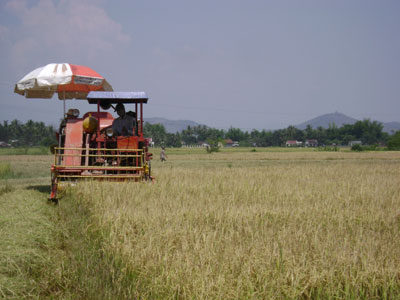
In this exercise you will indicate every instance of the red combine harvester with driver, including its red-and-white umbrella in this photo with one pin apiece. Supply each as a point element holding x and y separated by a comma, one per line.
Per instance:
<point>88,147</point>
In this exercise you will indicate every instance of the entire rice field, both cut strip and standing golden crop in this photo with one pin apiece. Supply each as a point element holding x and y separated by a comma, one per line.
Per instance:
<point>238,224</point>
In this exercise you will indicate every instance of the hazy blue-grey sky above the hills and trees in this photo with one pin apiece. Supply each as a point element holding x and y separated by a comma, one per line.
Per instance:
<point>247,64</point>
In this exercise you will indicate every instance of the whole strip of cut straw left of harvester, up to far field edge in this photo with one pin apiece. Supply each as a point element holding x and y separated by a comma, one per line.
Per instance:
<point>28,232</point>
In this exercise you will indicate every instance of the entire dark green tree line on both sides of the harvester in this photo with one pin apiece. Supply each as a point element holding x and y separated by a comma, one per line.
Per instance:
<point>368,132</point>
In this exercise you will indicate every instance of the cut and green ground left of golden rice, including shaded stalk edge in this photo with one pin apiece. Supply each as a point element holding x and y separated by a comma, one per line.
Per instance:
<point>48,251</point>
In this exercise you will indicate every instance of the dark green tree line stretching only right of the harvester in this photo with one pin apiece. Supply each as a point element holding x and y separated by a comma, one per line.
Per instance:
<point>366,131</point>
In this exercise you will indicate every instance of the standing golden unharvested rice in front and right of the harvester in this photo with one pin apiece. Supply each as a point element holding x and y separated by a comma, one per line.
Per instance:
<point>254,225</point>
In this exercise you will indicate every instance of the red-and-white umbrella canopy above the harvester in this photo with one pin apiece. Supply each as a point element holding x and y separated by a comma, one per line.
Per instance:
<point>68,81</point>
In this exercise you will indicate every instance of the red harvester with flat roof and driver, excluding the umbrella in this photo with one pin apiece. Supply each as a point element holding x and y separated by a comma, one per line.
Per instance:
<point>97,146</point>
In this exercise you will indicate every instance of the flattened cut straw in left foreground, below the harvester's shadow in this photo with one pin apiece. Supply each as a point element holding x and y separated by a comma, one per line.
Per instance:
<point>28,238</point>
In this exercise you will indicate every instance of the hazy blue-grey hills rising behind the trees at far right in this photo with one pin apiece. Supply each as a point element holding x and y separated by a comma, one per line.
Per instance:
<point>340,119</point>
